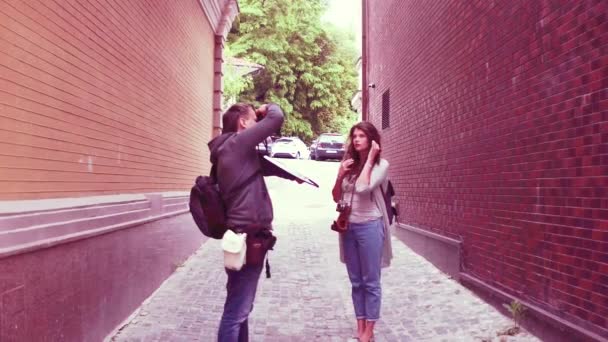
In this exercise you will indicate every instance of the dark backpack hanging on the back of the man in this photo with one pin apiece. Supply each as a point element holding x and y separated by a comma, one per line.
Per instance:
<point>207,207</point>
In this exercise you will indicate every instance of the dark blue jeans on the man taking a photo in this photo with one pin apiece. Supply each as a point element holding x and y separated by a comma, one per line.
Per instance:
<point>241,288</point>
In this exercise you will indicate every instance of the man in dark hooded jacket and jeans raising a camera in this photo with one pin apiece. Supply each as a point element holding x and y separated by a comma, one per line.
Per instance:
<point>240,172</point>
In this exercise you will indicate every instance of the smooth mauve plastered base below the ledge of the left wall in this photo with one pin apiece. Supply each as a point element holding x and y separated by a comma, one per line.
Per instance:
<point>81,291</point>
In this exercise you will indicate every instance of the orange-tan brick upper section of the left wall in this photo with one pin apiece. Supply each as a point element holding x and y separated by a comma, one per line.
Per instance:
<point>102,97</point>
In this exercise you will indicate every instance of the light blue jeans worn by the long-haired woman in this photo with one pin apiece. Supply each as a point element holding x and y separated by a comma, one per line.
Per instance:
<point>363,255</point>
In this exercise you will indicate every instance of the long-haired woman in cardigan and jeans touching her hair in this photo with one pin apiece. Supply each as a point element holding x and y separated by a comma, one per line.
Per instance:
<point>365,246</point>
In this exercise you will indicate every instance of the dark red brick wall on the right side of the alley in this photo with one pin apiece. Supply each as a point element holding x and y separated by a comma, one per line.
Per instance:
<point>499,137</point>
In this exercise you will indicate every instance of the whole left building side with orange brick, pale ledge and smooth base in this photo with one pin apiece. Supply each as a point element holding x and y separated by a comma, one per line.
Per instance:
<point>106,108</point>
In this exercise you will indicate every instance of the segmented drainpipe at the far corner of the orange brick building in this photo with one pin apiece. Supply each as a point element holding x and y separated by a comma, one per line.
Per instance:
<point>229,12</point>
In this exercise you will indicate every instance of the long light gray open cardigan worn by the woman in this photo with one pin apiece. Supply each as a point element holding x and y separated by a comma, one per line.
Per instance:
<point>379,176</point>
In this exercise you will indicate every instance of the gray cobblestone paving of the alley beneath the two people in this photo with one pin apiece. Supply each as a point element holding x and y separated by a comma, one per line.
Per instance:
<point>308,296</point>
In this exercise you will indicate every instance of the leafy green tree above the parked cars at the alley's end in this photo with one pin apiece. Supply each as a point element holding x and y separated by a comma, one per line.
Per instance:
<point>309,68</point>
